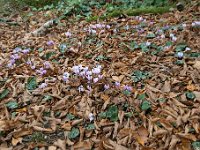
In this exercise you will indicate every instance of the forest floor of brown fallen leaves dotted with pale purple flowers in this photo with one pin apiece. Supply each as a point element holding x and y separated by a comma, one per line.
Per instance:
<point>124,83</point>
